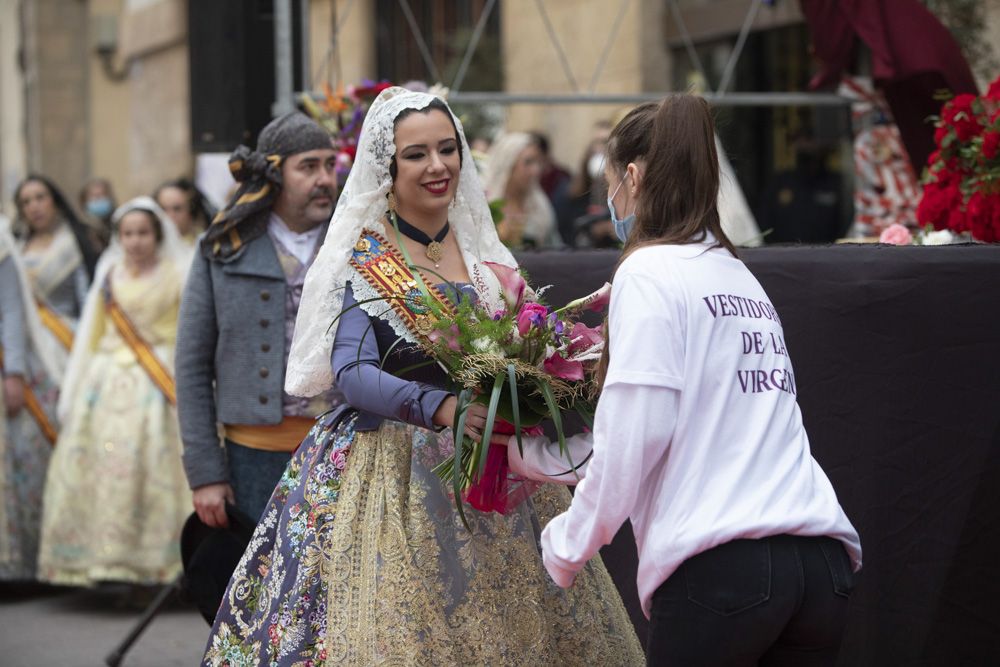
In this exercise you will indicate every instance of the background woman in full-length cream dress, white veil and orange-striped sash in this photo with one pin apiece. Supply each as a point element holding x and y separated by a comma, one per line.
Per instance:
<point>116,495</point>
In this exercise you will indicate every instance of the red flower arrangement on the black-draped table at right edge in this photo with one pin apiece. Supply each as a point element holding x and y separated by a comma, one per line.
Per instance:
<point>962,179</point>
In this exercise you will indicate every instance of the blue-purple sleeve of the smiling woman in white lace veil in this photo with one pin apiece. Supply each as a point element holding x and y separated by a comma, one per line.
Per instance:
<point>366,387</point>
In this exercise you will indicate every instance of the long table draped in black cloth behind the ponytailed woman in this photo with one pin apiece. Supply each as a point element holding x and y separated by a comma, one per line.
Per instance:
<point>896,359</point>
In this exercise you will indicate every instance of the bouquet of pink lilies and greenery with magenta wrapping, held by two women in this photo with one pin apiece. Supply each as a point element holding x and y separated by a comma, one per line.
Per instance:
<point>526,363</point>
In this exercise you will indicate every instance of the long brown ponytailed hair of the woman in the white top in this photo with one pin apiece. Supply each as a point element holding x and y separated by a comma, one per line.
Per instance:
<point>678,201</point>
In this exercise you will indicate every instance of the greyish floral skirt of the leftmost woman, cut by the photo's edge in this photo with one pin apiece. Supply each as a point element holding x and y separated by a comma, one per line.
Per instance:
<point>24,459</point>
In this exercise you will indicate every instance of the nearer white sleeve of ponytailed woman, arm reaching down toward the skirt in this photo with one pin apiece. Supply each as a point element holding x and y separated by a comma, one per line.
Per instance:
<point>635,422</point>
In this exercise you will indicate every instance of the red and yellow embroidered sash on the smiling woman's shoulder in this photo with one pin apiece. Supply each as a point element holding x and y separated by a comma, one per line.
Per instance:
<point>384,268</point>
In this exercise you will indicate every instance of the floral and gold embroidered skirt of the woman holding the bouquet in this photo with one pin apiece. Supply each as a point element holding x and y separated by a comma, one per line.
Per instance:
<point>361,559</point>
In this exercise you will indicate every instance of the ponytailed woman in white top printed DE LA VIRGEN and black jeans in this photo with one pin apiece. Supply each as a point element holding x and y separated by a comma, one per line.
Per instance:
<point>745,555</point>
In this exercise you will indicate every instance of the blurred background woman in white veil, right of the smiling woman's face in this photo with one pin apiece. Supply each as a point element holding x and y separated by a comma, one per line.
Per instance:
<point>512,173</point>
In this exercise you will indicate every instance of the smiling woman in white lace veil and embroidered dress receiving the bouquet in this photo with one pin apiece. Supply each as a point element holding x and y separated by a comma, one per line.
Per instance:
<point>360,557</point>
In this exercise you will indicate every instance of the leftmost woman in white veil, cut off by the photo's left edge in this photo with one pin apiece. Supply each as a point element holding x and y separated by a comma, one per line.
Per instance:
<point>28,427</point>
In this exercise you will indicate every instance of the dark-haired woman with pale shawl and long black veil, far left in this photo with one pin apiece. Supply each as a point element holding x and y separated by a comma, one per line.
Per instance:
<point>58,255</point>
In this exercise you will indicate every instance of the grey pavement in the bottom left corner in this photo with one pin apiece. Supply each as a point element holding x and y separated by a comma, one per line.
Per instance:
<point>63,627</point>
